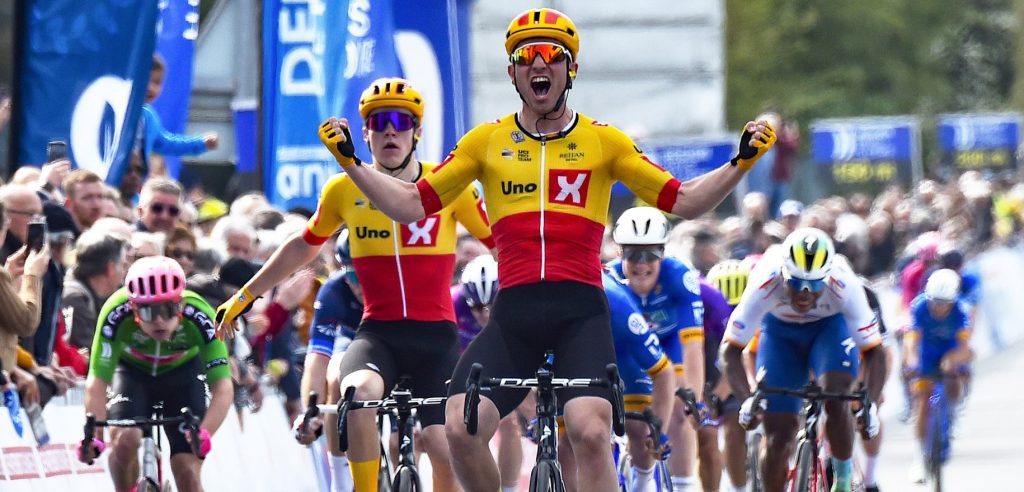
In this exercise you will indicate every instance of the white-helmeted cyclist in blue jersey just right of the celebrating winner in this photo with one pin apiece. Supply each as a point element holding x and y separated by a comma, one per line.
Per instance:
<point>668,294</point>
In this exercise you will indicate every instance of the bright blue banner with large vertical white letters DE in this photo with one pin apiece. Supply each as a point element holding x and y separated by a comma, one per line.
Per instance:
<point>319,57</point>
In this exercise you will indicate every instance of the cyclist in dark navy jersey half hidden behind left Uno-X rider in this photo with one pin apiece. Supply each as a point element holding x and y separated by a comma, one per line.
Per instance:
<point>337,314</point>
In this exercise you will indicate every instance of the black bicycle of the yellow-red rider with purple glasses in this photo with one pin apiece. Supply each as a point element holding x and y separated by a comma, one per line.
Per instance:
<point>400,406</point>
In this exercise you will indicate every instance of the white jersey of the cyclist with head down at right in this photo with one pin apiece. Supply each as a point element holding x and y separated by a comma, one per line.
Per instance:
<point>766,294</point>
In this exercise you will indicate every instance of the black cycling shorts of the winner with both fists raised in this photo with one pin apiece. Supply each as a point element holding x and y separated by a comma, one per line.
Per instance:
<point>570,318</point>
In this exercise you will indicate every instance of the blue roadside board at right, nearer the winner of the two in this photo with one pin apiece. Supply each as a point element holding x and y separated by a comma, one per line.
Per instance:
<point>867,154</point>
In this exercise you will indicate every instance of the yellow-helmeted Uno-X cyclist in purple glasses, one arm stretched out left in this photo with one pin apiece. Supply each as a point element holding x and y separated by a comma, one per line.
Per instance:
<point>408,323</point>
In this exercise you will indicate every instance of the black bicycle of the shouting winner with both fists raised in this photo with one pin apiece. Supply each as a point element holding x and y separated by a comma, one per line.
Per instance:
<point>547,475</point>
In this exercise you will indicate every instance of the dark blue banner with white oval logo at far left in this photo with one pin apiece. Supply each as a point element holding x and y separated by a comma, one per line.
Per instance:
<point>84,70</point>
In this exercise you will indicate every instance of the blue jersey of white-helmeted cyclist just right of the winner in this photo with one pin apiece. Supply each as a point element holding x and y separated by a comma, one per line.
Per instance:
<point>674,306</point>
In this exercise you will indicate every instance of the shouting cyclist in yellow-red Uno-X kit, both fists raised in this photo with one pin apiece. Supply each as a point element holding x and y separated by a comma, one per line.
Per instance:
<point>547,174</point>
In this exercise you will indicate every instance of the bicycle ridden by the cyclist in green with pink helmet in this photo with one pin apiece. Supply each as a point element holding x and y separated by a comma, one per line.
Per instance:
<point>152,479</point>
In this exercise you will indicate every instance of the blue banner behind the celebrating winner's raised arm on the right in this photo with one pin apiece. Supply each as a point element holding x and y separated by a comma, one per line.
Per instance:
<point>687,159</point>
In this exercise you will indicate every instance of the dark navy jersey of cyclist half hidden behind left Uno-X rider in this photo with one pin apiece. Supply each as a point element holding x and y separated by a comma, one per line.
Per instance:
<point>337,313</point>
